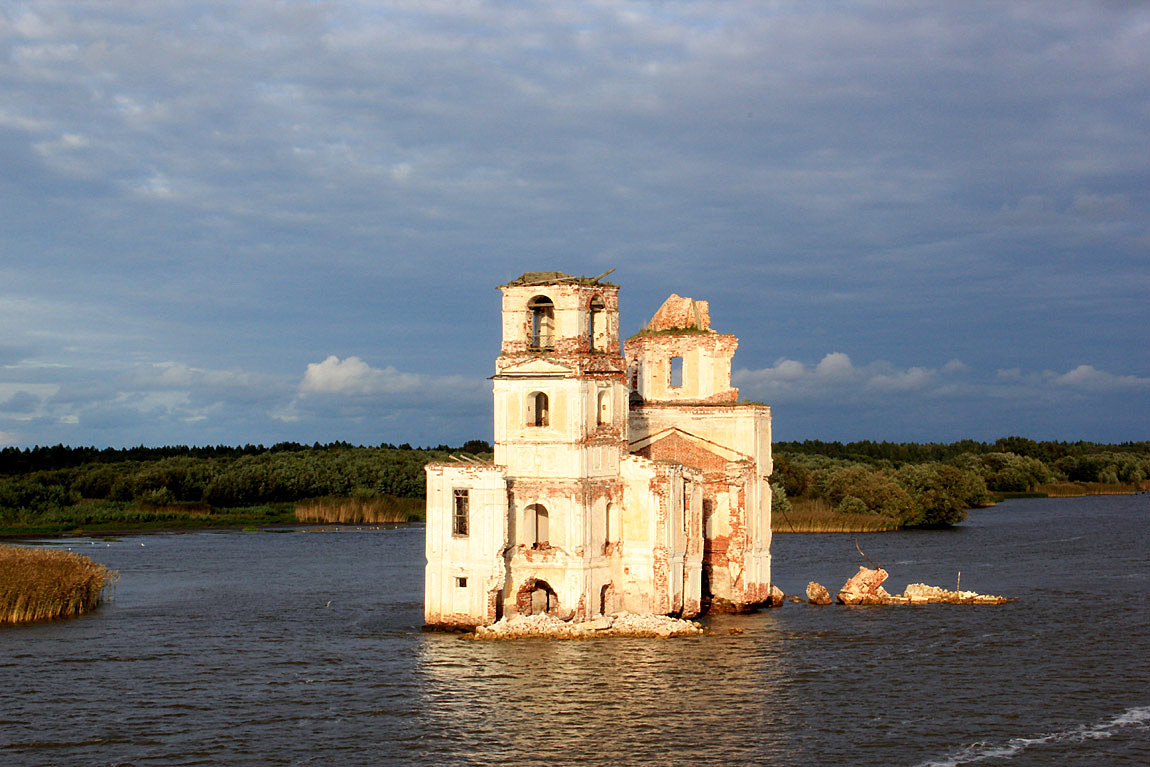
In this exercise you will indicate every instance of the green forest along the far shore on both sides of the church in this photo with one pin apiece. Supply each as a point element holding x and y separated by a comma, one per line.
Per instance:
<point>908,484</point>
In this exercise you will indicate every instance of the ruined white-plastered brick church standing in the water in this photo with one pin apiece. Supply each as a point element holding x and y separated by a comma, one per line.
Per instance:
<point>625,479</point>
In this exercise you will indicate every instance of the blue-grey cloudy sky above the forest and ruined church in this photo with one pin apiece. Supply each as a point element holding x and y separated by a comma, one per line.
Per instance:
<point>286,221</point>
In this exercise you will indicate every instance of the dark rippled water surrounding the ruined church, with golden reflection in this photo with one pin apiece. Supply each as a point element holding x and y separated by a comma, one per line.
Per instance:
<point>304,649</point>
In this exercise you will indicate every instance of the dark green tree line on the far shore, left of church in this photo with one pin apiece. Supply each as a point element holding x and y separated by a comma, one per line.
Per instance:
<point>43,485</point>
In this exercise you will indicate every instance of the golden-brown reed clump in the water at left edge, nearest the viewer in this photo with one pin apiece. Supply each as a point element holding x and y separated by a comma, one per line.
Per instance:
<point>41,585</point>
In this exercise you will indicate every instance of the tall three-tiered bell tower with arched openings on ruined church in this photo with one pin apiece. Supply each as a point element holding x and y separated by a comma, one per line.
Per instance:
<point>561,429</point>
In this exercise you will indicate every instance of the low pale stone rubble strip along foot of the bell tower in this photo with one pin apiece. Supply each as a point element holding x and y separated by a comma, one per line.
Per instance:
<point>620,625</point>
